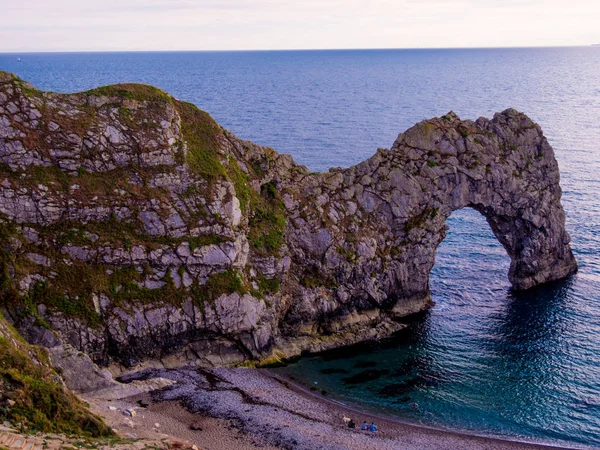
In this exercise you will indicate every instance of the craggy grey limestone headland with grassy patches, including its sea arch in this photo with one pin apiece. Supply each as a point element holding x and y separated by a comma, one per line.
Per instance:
<point>136,227</point>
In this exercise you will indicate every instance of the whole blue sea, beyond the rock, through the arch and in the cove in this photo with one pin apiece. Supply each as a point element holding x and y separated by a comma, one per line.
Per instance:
<point>484,359</point>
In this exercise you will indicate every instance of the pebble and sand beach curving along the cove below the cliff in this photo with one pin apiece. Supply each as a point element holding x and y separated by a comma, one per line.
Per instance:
<point>246,409</point>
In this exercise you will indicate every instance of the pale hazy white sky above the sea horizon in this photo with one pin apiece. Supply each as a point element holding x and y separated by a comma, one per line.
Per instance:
<point>120,25</point>
